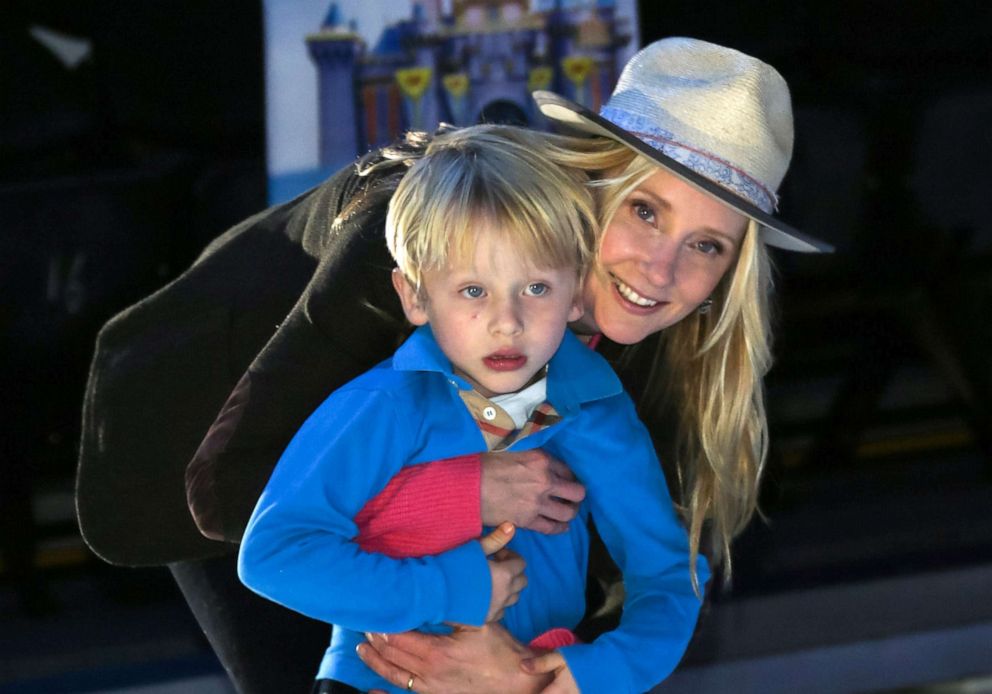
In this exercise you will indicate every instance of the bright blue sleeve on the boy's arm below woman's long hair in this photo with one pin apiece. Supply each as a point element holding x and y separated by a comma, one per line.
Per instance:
<point>630,505</point>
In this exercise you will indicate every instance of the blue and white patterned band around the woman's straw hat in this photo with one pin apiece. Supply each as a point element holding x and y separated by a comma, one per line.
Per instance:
<point>702,162</point>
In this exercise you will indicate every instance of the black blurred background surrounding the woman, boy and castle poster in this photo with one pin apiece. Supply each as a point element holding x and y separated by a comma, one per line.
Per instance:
<point>113,175</point>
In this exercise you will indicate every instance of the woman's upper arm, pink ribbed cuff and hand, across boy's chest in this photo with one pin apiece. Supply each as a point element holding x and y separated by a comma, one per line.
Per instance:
<point>432,507</point>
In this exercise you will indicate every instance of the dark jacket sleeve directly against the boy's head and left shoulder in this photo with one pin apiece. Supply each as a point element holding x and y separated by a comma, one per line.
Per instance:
<point>346,320</point>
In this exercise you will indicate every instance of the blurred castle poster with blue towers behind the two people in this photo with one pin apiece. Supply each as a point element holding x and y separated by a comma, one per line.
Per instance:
<point>345,77</point>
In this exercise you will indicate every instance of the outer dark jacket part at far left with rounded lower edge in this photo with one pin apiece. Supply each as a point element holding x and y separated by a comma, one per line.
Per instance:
<point>160,371</point>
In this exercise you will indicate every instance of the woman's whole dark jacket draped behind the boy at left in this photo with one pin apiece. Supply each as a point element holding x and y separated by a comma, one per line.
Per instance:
<point>287,306</point>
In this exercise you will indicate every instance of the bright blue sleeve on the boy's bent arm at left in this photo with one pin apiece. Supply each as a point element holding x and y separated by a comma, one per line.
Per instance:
<point>298,548</point>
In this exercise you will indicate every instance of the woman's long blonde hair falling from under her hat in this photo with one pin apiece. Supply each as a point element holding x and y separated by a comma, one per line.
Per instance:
<point>707,371</point>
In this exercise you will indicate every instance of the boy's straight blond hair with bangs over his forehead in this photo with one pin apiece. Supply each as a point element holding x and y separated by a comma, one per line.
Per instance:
<point>499,177</point>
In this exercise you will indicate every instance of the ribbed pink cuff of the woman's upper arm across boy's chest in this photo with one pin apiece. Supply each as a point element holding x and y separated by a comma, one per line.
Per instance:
<point>425,509</point>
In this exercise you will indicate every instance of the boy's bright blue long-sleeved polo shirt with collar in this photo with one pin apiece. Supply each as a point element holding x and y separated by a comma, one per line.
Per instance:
<point>298,549</point>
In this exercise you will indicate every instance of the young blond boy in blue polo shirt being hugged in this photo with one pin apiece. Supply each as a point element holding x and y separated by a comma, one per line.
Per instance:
<point>490,239</point>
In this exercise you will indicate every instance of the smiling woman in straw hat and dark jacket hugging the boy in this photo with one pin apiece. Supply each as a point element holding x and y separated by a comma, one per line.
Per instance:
<point>691,148</point>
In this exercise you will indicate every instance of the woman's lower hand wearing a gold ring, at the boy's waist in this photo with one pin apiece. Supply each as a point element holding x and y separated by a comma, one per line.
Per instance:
<point>467,661</point>
